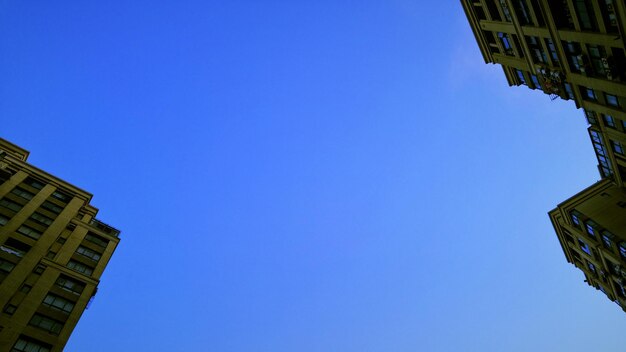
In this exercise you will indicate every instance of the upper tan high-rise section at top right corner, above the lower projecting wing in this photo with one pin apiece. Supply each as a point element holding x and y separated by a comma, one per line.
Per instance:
<point>569,49</point>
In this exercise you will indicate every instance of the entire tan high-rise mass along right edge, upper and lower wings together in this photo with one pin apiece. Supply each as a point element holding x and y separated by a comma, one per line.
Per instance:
<point>573,50</point>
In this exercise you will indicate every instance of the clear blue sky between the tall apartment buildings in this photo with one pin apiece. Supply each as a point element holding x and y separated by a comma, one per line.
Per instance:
<point>305,176</point>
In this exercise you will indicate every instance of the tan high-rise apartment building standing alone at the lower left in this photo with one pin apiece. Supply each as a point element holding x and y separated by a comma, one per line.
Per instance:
<point>52,253</point>
